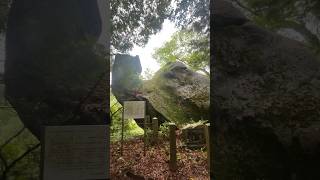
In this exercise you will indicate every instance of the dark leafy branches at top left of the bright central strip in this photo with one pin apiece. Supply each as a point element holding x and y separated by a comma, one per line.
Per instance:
<point>134,21</point>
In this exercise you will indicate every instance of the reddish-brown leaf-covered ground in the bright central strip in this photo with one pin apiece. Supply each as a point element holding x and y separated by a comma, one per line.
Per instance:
<point>192,164</point>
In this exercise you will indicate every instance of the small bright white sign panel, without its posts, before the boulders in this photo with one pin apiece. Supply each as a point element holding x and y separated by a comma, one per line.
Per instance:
<point>134,109</point>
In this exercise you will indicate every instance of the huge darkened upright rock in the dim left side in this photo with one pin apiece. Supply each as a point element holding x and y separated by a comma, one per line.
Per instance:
<point>54,73</point>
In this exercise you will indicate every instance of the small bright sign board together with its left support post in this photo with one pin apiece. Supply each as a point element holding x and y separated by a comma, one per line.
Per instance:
<point>132,110</point>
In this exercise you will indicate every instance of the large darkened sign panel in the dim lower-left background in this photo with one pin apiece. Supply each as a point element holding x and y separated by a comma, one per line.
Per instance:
<point>76,152</point>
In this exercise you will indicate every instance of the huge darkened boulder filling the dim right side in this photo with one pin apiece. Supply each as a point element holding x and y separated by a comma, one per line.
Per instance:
<point>266,105</point>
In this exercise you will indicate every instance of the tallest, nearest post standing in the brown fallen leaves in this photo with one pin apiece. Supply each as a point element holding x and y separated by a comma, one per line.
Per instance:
<point>173,147</point>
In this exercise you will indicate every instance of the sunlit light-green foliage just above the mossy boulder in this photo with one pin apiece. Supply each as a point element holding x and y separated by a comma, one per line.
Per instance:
<point>189,47</point>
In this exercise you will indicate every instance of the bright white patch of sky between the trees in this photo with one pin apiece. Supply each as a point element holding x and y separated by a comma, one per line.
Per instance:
<point>155,41</point>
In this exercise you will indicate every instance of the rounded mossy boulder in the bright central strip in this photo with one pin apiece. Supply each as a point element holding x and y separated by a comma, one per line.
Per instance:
<point>178,93</point>
